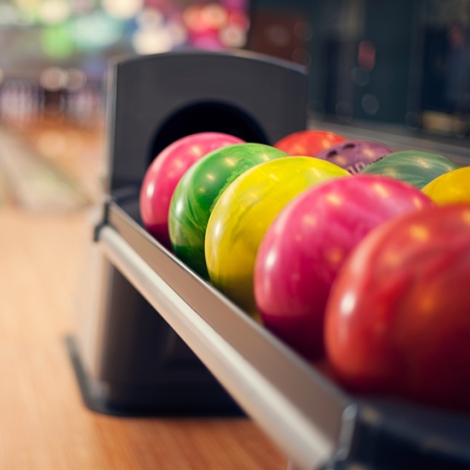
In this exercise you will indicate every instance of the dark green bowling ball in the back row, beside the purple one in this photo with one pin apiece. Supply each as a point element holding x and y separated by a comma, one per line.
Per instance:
<point>413,166</point>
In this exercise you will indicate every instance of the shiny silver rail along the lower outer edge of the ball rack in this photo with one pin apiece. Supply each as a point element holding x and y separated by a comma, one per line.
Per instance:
<point>306,444</point>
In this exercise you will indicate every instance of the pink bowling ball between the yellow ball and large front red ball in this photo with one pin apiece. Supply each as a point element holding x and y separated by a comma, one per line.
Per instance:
<point>305,247</point>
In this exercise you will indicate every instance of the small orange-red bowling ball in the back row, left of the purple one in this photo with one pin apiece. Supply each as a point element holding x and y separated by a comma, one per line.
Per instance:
<point>308,143</point>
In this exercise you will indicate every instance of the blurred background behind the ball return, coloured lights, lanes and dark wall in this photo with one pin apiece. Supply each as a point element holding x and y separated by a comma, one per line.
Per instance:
<point>401,65</point>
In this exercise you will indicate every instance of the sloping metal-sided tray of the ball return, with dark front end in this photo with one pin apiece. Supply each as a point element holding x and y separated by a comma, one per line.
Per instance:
<point>314,422</point>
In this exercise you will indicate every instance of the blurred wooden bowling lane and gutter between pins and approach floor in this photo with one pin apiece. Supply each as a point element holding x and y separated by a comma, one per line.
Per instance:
<point>51,166</point>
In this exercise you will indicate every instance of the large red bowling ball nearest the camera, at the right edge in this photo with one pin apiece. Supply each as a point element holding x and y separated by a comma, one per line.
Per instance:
<point>397,321</point>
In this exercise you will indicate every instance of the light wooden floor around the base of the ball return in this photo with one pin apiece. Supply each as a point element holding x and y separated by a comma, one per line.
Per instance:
<point>43,422</point>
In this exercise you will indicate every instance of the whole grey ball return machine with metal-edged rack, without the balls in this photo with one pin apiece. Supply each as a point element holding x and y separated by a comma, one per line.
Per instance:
<point>160,340</point>
